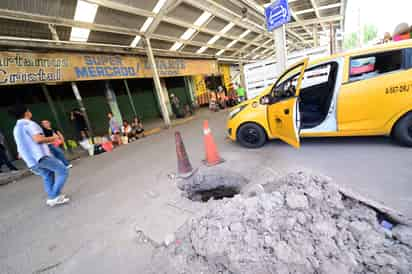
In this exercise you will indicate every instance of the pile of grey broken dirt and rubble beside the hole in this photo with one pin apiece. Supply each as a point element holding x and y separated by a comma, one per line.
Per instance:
<point>303,225</point>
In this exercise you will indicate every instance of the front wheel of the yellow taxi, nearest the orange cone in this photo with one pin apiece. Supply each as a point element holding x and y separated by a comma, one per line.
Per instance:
<point>251,135</point>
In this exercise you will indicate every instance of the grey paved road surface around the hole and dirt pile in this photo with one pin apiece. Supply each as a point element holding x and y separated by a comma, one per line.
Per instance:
<point>115,194</point>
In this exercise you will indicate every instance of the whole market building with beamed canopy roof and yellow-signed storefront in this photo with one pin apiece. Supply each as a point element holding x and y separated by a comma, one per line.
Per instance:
<point>128,57</point>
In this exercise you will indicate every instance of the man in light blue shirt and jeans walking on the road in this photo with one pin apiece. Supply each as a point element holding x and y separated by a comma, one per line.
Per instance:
<point>32,148</point>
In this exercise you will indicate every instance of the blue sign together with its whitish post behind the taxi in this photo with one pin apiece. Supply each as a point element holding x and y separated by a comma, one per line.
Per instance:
<point>277,15</point>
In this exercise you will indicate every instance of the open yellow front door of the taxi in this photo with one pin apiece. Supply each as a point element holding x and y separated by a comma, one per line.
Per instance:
<point>283,110</point>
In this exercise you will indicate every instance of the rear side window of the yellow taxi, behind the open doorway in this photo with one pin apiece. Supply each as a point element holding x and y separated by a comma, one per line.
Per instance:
<point>369,66</point>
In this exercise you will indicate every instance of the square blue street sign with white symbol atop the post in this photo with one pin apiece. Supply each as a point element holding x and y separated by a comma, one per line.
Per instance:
<point>277,14</point>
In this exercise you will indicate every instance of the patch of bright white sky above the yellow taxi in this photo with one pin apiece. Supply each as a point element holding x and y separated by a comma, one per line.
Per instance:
<point>384,14</point>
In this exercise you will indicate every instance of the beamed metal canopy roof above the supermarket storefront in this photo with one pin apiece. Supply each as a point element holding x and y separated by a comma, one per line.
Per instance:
<point>114,18</point>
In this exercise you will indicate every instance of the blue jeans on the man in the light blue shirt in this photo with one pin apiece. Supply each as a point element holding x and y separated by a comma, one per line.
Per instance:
<point>54,175</point>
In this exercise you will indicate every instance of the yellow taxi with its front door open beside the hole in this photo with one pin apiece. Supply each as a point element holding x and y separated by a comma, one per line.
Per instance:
<point>360,93</point>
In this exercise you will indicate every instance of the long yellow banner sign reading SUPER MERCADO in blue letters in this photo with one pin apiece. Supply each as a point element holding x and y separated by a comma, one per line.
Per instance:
<point>29,68</point>
